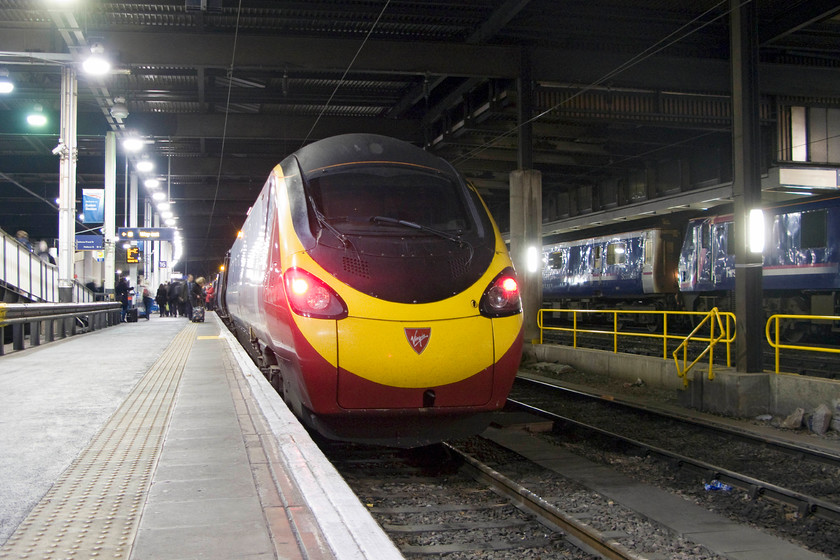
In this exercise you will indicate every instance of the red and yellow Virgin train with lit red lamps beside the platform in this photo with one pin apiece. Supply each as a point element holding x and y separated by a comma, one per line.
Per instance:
<point>372,285</point>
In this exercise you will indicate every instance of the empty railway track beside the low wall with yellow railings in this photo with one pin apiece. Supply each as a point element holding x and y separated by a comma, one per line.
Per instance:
<point>752,467</point>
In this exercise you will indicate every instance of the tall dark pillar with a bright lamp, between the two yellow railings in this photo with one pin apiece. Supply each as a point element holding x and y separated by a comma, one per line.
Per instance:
<point>746,188</point>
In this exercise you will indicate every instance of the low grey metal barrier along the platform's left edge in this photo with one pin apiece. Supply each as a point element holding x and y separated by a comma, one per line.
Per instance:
<point>53,320</point>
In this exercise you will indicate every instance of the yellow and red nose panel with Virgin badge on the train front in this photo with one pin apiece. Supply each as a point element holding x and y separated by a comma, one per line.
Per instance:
<point>435,364</point>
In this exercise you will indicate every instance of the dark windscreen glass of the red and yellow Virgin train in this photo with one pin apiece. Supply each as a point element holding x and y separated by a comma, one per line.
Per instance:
<point>349,200</point>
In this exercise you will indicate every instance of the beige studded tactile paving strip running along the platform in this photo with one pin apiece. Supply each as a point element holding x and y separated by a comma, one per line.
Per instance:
<point>94,508</point>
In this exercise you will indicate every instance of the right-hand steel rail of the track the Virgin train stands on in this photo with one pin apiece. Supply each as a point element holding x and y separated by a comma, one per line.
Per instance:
<point>548,514</point>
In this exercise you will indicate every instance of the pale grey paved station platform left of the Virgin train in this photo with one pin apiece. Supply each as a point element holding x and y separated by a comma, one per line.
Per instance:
<point>162,440</point>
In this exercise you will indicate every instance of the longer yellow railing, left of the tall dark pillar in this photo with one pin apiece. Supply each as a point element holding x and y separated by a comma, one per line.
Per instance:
<point>727,328</point>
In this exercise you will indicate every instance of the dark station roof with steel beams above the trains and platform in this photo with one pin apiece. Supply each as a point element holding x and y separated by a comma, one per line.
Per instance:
<point>223,90</point>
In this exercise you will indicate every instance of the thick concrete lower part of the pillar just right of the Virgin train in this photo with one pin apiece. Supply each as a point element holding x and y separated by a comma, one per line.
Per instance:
<point>526,243</point>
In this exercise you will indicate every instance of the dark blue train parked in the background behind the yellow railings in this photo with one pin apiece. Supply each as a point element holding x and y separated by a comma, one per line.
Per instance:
<point>694,270</point>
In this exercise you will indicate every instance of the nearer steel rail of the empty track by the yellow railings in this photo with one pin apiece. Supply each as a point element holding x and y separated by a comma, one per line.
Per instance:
<point>755,487</point>
